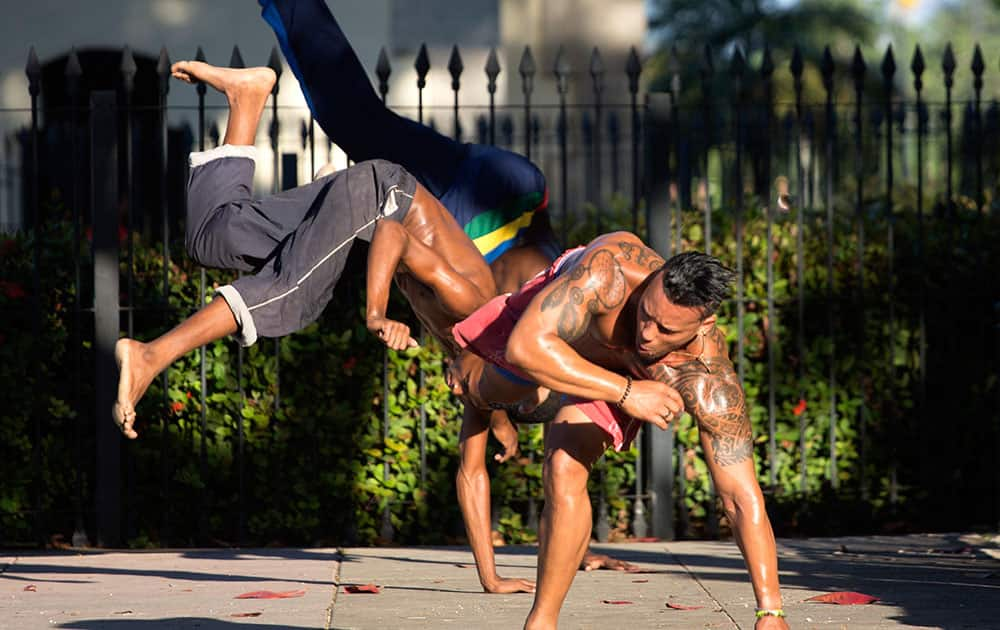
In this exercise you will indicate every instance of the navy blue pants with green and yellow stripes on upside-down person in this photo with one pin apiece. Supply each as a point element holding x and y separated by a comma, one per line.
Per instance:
<point>497,196</point>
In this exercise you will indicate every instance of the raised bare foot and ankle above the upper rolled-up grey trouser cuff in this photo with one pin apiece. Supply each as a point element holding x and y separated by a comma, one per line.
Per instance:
<point>246,89</point>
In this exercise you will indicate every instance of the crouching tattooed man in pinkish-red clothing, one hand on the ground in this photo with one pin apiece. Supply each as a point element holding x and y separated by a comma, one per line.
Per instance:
<point>613,327</point>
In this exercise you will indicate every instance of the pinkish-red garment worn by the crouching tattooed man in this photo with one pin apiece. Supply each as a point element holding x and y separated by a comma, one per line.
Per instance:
<point>487,330</point>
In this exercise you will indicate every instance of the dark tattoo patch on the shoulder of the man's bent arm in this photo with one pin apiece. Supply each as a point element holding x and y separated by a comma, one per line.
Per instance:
<point>594,286</point>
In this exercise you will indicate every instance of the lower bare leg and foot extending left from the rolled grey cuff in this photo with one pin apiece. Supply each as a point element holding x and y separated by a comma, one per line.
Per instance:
<point>139,363</point>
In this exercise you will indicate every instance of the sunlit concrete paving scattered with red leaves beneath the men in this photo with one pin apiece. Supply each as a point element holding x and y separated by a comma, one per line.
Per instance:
<point>923,581</point>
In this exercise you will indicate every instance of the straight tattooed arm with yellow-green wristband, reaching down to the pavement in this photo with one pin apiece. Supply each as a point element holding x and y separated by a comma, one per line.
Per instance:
<point>716,401</point>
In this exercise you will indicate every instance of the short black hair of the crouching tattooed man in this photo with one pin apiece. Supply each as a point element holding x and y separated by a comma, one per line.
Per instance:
<point>697,279</point>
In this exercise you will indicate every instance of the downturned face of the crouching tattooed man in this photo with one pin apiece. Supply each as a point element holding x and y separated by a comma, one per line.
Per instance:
<point>662,326</point>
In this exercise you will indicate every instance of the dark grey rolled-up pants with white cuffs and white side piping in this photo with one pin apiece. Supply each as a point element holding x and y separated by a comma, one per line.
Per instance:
<point>294,243</point>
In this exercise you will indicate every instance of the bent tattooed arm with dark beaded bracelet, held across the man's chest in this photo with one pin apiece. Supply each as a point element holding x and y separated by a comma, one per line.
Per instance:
<point>562,313</point>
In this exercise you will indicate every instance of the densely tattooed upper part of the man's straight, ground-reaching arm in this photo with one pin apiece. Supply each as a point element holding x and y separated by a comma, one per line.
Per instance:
<point>716,401</point>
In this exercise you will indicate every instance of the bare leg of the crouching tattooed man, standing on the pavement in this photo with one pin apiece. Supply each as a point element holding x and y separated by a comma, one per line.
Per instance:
<point>572,444</point>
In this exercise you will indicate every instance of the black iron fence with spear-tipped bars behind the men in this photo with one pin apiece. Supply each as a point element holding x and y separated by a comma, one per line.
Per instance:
<point>864,325</point>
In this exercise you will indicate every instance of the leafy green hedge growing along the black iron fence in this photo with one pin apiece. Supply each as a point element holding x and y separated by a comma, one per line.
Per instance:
<point>314,462</point>
